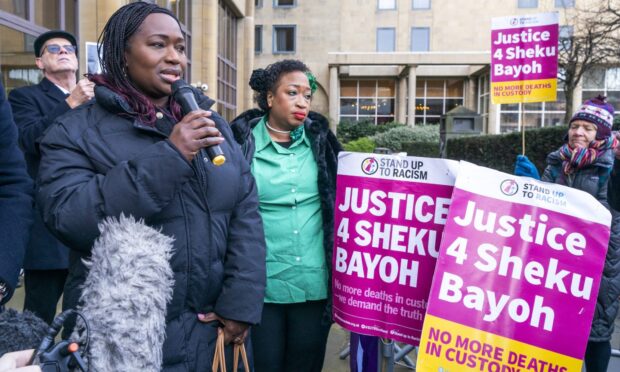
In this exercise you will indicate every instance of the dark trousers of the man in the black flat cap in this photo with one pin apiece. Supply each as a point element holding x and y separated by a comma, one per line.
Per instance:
<point>43,290</point>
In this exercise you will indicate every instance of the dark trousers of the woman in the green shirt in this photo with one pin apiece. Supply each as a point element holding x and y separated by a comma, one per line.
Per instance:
<point>291,337</point>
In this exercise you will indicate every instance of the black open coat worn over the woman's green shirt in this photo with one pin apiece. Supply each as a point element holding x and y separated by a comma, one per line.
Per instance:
<point>325,148</point>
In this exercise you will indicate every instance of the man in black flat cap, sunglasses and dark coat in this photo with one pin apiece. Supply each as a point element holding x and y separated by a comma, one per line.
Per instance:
<point>35,108</point>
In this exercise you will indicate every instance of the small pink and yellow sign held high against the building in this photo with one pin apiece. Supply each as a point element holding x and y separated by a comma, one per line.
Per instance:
<point>524,58</point>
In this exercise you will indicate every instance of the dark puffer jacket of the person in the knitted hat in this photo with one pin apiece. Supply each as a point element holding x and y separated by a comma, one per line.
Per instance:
<point>594,179</point>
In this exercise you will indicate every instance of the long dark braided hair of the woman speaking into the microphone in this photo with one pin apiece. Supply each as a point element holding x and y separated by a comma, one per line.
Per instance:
<point>112,43</point>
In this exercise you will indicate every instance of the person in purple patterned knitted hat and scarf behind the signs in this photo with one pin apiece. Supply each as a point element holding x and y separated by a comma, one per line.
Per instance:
<point>584,162</point>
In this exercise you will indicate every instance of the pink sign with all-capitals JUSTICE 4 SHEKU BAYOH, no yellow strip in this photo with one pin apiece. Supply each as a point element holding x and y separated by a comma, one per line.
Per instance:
<point>390,213</point>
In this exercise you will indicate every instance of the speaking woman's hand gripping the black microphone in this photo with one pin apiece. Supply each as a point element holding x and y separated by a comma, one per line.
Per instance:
<point>196,131</point>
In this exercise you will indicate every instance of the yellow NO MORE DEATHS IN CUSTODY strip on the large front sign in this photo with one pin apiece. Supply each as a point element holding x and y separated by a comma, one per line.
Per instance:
<point>449,346</point>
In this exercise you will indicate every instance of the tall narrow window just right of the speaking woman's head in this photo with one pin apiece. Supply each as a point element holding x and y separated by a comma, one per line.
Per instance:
<point>227,62</point>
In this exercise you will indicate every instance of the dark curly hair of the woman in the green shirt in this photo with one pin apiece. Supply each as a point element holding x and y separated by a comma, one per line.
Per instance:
<point>266,80</point>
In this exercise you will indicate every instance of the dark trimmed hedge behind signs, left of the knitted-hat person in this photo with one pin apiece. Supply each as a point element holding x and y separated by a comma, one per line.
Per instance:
<point>500,151</point>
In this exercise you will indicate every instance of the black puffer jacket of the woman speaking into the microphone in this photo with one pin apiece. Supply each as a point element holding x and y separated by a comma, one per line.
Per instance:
<point>96,163</point>
